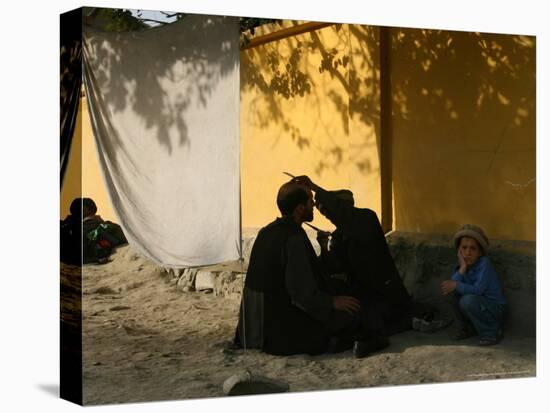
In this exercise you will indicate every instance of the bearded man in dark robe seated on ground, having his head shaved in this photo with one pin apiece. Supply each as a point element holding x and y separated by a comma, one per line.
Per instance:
<point>285,308</point>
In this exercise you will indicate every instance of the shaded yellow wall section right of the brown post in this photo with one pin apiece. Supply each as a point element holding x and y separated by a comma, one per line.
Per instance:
<point>464,132</point>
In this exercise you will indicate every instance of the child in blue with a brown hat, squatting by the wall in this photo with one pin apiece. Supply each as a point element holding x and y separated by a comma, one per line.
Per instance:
<point>476,295</point>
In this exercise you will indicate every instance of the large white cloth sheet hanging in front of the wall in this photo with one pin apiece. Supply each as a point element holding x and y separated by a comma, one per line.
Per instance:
<point>164,106</point>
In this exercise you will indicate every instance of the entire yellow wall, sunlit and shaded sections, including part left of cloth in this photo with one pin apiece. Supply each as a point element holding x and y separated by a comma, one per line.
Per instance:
<point>463,127</point>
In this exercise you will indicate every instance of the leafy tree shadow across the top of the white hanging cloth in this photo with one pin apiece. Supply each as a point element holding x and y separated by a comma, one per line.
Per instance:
<point>134,68</point>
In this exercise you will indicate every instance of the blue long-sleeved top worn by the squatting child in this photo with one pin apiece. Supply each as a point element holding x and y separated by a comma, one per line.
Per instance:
<point>480,279</point>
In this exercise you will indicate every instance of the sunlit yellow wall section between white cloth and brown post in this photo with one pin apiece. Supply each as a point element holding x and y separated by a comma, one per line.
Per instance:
<point>320,127</point>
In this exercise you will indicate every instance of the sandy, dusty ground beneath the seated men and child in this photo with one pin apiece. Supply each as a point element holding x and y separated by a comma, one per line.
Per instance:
<point>145,341</point>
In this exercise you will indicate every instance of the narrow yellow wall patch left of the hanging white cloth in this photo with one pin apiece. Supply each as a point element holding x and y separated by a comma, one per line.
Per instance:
<point>83,174</point>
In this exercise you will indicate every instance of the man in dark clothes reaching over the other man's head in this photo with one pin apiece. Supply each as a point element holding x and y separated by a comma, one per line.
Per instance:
<point>359,249</point>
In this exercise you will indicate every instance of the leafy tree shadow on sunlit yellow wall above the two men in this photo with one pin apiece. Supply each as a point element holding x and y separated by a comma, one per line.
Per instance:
<point>305,67</point>
